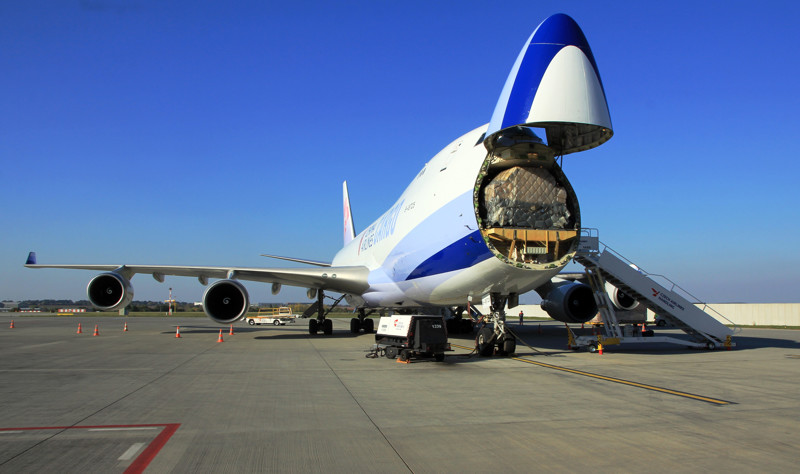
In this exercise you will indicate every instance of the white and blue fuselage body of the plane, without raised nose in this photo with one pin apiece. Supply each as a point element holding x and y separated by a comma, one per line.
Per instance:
<point>430,247</point>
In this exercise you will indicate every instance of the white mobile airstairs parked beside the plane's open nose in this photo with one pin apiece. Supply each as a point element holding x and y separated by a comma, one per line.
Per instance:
<point>704,330</point>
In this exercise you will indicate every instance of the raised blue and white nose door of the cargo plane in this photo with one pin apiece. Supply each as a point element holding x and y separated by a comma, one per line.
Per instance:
<point>555,85</point>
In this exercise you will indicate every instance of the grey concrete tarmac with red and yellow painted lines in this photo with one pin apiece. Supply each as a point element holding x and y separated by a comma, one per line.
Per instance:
<point>275,399</point>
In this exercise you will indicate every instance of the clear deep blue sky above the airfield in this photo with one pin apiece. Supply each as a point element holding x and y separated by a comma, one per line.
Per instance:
<point>142,131</point>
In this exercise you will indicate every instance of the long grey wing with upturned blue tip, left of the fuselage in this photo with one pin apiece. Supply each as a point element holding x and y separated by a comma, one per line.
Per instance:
<point>351,280</point>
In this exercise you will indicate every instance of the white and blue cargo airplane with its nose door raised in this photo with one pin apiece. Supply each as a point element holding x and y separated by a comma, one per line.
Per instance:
<point>490,217</point>
